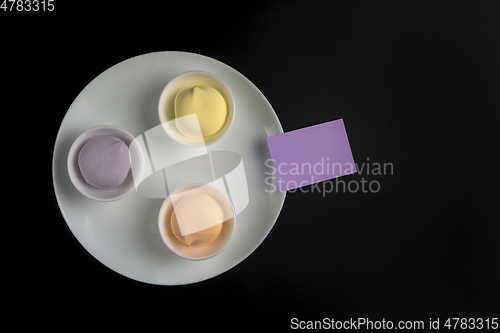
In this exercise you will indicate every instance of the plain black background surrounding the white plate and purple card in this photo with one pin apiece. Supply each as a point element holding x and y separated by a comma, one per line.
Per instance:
<point>417,84</point>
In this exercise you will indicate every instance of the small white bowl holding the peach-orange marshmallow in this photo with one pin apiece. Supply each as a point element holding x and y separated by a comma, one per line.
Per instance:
<point>203,251</point>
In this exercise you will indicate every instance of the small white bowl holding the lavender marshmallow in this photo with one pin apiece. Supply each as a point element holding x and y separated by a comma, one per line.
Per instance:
<point>76,176</point>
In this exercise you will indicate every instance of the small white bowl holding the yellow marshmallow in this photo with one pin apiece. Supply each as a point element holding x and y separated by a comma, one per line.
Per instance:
<point>166,111</point>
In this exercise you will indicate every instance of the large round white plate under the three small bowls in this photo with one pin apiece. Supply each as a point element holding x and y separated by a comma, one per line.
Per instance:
<point>123,235</point>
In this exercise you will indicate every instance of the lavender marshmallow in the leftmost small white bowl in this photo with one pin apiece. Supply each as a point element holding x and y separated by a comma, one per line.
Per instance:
<point>104,161</point>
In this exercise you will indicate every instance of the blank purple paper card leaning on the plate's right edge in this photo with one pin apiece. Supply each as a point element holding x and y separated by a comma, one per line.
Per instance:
<point>311,155</point>
